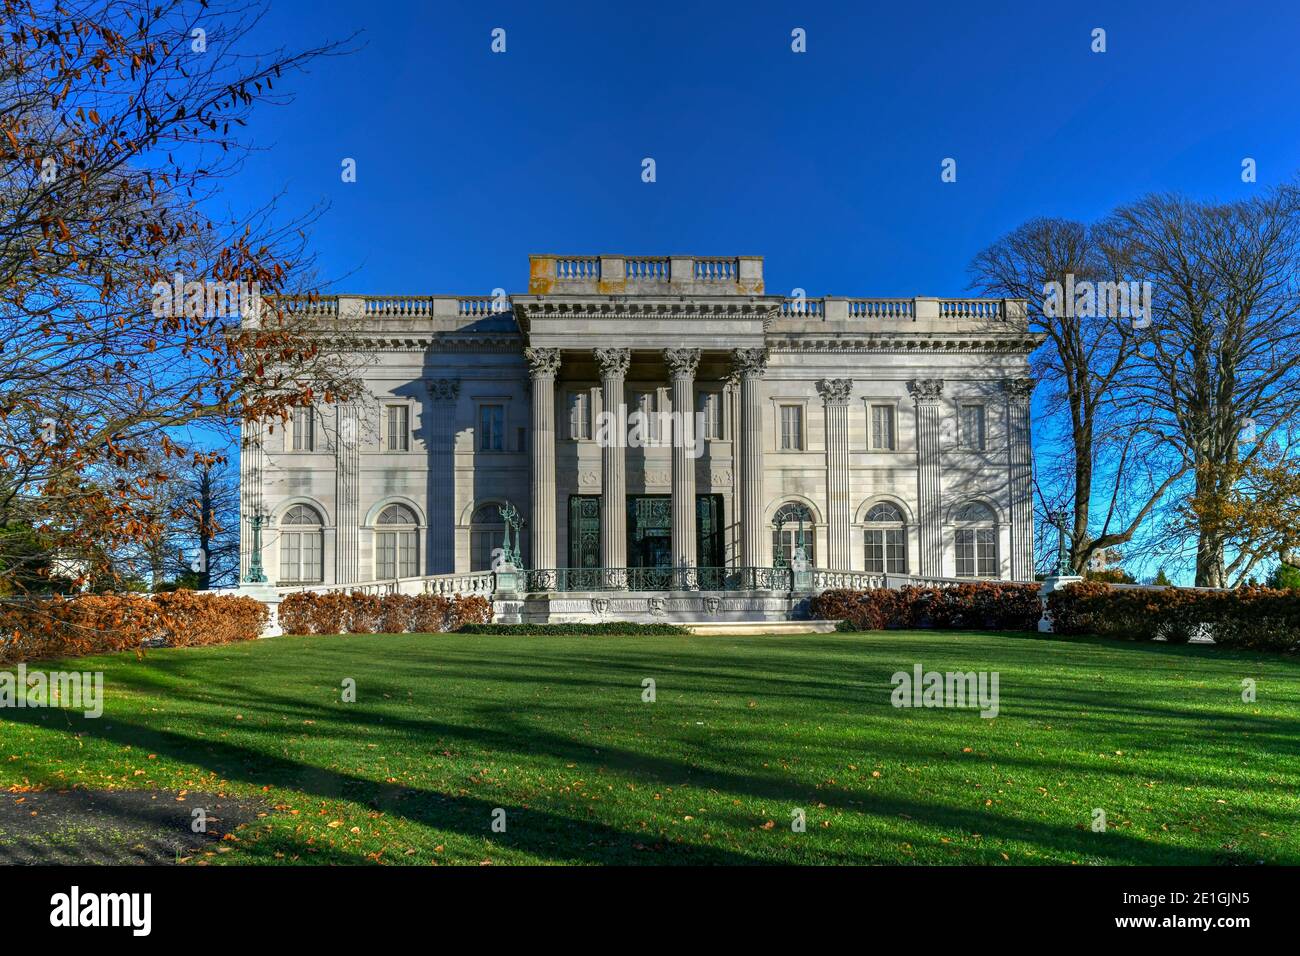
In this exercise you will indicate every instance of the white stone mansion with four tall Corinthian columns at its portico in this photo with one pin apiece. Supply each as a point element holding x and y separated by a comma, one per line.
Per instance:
<point>843,435</point>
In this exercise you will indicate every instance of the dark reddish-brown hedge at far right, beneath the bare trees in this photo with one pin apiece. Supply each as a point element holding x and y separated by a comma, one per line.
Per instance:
<point>1254,618</point>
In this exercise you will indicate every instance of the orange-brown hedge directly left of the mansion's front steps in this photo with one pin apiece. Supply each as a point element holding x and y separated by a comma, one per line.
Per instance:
<point>339,612</point>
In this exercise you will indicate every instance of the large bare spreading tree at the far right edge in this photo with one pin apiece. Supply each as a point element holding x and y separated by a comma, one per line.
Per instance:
<point>1221,356</point>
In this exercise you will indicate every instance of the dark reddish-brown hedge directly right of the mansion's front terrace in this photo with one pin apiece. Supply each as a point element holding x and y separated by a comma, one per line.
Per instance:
<point>987,607</point>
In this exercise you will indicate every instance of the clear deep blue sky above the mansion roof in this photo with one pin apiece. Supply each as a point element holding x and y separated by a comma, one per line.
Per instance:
<point>826,163</point>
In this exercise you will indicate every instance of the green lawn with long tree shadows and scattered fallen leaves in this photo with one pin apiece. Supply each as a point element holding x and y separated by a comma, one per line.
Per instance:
<point>744,730</point>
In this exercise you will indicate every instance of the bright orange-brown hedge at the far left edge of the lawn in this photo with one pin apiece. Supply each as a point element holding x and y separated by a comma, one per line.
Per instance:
<point>38,630</point>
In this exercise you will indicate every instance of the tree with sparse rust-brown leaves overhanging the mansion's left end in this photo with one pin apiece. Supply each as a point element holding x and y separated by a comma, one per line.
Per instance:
<point>120,299</point>
